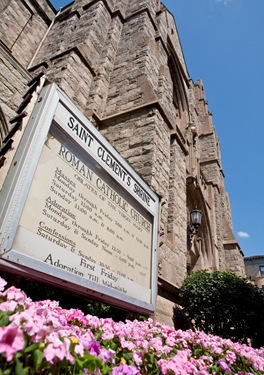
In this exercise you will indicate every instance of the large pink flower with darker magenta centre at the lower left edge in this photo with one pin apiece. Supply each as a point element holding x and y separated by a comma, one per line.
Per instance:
<point>11,341</point>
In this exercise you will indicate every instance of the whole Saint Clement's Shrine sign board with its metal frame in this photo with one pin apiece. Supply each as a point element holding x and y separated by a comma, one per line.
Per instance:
<point>75,210</point>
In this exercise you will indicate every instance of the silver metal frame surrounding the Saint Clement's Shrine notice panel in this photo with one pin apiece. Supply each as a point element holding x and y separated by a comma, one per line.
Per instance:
<point>49,109</point>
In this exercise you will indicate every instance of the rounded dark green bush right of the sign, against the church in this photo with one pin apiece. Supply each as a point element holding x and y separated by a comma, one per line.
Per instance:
<point>224,304</point>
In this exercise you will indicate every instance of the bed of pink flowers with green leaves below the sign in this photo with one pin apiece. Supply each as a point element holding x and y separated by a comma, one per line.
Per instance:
<point>42,338</point>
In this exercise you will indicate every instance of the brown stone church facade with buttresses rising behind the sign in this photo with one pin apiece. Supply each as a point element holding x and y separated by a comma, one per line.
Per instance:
<point>122,65</point>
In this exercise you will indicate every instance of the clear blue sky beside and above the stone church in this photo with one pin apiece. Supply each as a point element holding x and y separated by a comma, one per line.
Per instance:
<point>223,45</point>
